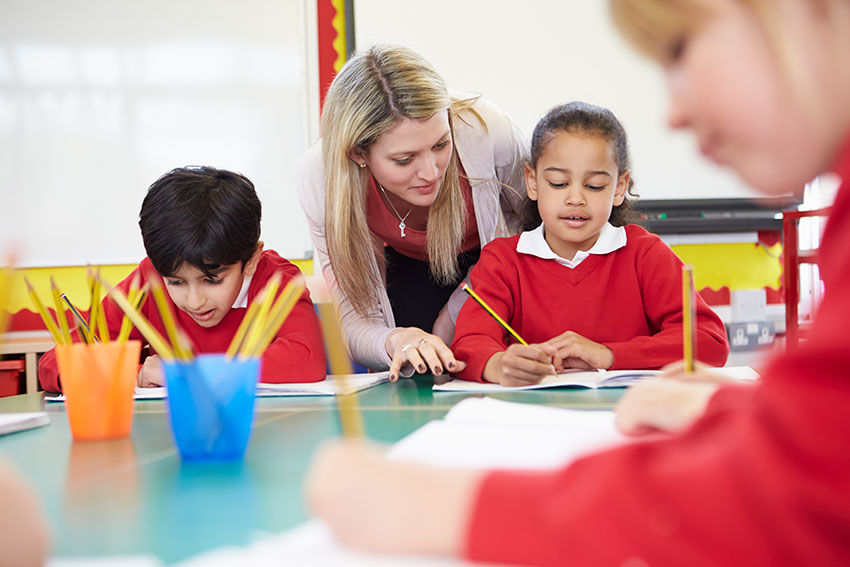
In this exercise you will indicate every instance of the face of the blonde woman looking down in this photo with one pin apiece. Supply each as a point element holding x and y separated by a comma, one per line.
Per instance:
<point>410,159</point>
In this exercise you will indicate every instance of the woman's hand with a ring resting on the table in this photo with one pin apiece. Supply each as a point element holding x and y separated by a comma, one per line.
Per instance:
<point>426,352</point>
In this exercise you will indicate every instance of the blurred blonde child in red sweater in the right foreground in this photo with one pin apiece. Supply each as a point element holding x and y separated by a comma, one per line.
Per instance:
<point>756,474</point>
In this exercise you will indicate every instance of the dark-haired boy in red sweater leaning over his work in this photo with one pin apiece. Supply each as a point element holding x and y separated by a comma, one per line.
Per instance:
<point>201,231</point>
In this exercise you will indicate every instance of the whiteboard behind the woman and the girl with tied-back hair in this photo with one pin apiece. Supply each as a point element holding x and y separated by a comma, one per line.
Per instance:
<point>529,56</point>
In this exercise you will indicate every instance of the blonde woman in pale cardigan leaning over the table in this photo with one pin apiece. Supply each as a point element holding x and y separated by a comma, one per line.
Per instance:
<point>406,185</point>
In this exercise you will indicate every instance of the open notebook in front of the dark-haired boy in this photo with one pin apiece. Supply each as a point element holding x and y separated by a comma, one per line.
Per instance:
<point>330,386</point>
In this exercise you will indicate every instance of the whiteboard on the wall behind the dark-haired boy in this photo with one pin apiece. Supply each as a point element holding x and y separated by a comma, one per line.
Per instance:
<point>98,98</point>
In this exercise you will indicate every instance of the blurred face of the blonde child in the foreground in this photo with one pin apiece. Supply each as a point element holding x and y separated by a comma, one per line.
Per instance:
<point>726,84</point>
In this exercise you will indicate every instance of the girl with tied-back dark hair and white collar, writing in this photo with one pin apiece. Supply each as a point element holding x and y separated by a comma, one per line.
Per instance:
<point>584,288</point>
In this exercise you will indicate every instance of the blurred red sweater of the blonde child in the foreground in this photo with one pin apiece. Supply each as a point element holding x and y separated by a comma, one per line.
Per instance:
<point>763,478</point>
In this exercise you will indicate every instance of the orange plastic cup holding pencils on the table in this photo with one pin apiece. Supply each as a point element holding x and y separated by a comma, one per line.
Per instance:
<point>98,381</point>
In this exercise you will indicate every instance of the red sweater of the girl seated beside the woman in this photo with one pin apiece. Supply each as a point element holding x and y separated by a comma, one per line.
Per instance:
<point>630,300</point>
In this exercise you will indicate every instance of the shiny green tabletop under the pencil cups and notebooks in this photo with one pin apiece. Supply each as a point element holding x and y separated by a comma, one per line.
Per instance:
<point>133,496</point>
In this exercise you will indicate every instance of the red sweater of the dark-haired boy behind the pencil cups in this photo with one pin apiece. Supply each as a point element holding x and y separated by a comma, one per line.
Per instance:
<point>297,354</point>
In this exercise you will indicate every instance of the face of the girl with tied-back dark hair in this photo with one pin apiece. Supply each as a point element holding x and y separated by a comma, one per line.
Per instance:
<point>575,184</point>
